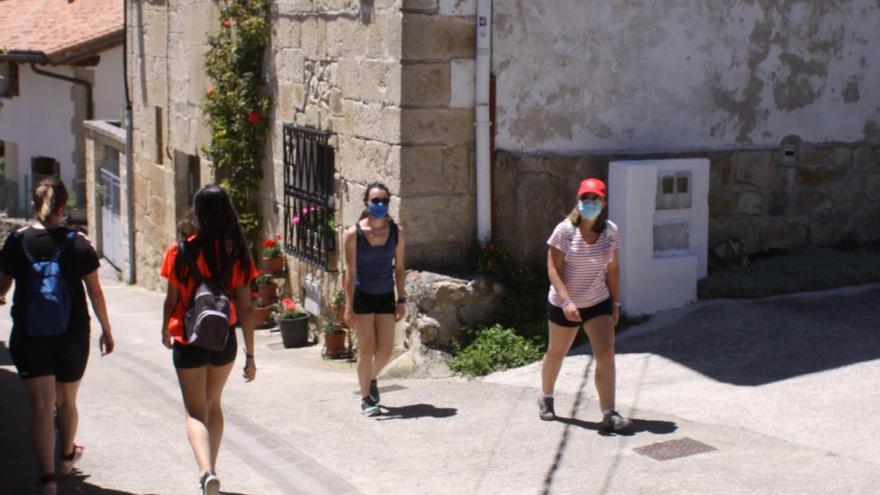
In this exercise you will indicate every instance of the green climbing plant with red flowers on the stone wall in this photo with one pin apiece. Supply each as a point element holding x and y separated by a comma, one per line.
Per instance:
<point>236,106</point>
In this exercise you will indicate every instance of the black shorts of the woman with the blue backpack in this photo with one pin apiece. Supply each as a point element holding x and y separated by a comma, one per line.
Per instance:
<point>65,356</point>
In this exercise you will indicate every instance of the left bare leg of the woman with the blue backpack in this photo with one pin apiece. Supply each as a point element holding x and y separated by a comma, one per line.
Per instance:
<point>41,392</point>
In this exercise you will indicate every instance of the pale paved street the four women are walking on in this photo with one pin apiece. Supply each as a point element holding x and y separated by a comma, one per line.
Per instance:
<point>784,392</point>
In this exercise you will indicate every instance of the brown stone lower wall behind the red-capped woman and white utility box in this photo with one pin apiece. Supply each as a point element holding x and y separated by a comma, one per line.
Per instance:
<point>828,196</point>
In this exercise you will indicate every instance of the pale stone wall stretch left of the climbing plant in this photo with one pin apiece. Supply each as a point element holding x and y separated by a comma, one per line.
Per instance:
<point>166,43</point>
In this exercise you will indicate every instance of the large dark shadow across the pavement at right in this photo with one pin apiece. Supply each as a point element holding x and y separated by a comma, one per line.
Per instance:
<point>751,343</point>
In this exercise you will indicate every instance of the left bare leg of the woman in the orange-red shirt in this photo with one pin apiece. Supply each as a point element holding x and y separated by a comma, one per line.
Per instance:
<point>193,385</point>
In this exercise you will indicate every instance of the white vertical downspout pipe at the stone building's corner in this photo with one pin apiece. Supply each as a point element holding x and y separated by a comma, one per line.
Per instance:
<point>483,123</point>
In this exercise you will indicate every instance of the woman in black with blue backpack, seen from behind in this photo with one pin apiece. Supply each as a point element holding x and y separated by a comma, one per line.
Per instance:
<point>49,343</point>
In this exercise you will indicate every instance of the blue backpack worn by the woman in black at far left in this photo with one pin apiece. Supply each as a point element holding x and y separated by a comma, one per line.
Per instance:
<point>47,303</point>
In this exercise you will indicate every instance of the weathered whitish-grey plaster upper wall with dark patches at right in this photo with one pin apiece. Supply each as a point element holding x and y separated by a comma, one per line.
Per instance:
<point>639,75</point>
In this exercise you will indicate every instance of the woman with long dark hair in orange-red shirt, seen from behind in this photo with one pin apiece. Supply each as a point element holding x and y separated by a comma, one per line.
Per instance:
<point>218,251</point>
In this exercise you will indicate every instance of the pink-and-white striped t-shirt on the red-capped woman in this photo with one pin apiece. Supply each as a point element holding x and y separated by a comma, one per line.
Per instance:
<point>583,272</point>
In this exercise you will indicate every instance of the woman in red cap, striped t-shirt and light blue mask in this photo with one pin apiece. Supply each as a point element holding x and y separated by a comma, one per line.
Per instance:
<point>584,289</point>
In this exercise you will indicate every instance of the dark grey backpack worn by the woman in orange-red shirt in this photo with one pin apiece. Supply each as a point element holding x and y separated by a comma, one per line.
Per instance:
<point>208,313</point>
